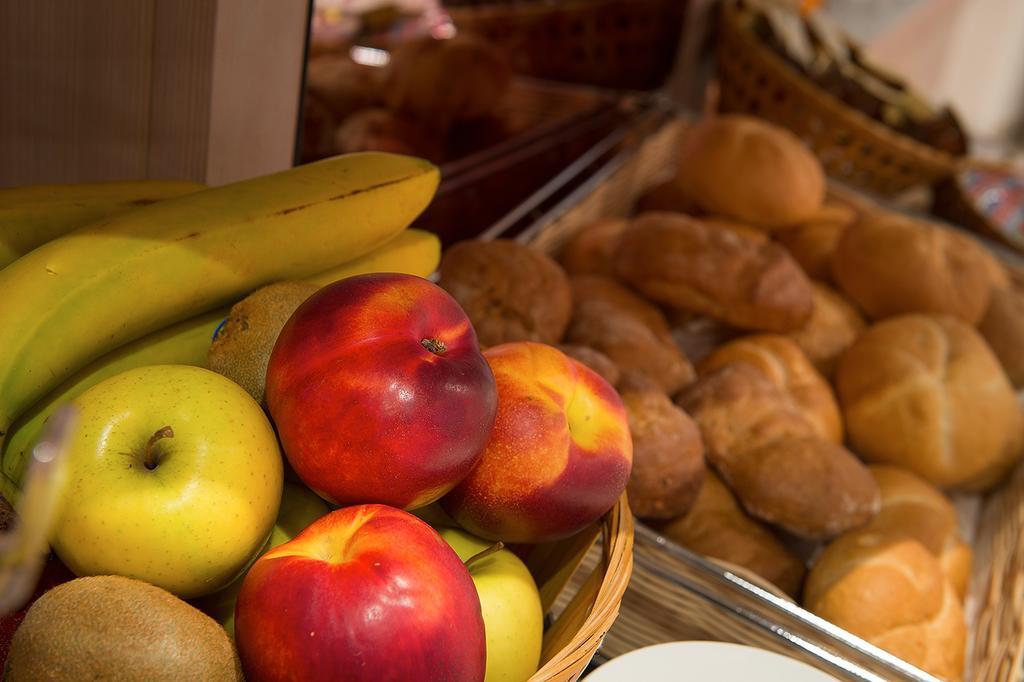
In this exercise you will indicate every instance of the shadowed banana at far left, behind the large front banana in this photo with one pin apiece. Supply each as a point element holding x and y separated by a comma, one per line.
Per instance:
<point>32,217</point>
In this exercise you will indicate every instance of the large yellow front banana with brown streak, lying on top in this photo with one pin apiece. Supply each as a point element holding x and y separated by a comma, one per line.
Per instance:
<point>105,285</point>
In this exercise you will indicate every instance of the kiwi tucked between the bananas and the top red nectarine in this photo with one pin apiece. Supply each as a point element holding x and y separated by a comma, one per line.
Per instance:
<point>242,347</point>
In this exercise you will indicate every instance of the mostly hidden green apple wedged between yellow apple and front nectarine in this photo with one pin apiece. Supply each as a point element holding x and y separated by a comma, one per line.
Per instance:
<point>300,508</point>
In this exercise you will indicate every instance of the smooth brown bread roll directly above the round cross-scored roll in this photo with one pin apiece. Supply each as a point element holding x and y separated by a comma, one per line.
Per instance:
<point>891,265</point>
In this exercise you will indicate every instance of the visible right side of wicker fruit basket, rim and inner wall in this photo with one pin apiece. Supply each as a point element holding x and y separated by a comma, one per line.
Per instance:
<point>583,598</point>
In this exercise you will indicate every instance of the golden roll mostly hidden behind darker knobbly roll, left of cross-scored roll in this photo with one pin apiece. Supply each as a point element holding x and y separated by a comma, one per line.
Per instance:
<point>786,365</point>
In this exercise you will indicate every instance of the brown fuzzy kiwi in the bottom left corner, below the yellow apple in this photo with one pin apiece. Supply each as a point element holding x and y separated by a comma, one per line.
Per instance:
<point>114,628</point>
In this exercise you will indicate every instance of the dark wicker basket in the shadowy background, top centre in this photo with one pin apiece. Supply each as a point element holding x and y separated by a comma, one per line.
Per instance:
<point>627,45</point>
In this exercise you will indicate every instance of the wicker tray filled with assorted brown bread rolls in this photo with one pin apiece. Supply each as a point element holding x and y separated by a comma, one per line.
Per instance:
<point>823,396</point>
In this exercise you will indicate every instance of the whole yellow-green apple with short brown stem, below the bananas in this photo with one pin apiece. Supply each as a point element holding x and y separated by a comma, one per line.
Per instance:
<point>175,478</point>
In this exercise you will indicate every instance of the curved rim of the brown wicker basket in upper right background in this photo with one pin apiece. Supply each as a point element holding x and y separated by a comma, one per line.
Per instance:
<point>879,132</point>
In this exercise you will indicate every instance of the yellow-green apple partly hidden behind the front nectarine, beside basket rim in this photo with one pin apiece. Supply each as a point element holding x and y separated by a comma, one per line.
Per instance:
<point>514,622</point>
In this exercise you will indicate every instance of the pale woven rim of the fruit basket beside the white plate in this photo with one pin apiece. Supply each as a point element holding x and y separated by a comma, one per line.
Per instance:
<point>617,534</point>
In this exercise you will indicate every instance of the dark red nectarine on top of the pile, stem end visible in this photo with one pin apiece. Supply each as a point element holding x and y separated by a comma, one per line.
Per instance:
<point>380,393</point>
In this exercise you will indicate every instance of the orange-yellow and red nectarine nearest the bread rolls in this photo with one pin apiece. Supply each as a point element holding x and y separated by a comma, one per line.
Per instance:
<point>560,454</point>
